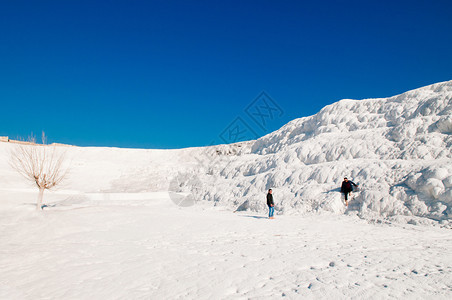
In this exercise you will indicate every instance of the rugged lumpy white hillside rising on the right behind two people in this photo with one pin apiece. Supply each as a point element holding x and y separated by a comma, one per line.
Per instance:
<point>399,150</point>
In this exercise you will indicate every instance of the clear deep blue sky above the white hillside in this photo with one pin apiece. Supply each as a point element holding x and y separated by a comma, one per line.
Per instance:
<point>171,74</point>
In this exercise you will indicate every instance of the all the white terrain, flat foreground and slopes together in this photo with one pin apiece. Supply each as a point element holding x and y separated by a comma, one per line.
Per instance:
<point>111,231</point>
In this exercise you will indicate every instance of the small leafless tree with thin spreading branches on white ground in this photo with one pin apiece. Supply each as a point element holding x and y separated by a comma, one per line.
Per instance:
<point>41,164</point>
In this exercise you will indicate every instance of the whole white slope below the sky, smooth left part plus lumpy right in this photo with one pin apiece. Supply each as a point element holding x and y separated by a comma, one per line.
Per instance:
<point>399,150</point>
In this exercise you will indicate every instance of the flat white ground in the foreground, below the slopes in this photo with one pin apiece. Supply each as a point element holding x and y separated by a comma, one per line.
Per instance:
<point>157,250</point>
